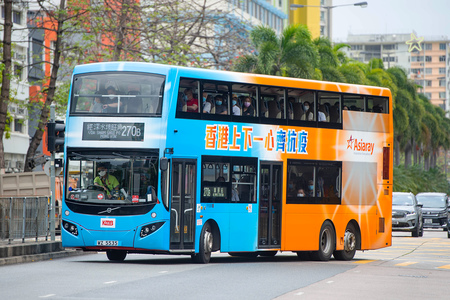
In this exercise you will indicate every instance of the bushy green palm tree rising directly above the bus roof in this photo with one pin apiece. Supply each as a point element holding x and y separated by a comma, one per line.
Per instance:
<point>291,54</point>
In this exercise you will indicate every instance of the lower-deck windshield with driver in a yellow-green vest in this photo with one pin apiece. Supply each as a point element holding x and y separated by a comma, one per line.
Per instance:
<point>112,177</point>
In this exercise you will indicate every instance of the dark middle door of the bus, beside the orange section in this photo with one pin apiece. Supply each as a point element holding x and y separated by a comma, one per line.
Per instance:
<point>270,192</point>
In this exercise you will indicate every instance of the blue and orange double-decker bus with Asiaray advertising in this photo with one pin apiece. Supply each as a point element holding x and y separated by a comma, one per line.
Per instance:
<point>175,160</point>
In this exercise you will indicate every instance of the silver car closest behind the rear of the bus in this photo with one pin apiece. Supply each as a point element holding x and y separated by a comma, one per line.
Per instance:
<point>407,214</point>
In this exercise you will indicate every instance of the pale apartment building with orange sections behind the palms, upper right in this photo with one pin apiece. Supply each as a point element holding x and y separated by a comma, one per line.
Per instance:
<point>427,65</point>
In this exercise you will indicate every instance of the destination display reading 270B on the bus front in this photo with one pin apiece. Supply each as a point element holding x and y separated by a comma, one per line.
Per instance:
<point>100,131</point>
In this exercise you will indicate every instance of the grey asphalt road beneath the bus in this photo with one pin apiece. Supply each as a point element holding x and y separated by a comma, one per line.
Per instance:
<point>412,268</point>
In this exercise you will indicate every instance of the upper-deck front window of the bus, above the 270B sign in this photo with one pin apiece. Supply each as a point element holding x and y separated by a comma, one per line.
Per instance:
<point>117,93</point>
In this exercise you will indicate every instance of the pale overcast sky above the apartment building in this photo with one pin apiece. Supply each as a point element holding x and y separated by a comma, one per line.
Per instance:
<point>426,17</point>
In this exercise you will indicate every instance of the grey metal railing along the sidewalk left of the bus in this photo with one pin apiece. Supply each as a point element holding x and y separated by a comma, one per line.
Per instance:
<point>25,217</point>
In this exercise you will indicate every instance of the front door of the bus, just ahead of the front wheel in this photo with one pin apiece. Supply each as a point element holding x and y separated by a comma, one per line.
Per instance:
<point>182,204</point>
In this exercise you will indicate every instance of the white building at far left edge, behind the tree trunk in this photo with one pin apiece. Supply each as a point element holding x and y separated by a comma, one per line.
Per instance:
<point>15,148</point>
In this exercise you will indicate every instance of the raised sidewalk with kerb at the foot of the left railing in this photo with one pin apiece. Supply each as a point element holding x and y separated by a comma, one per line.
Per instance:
<point>32,250</point>
